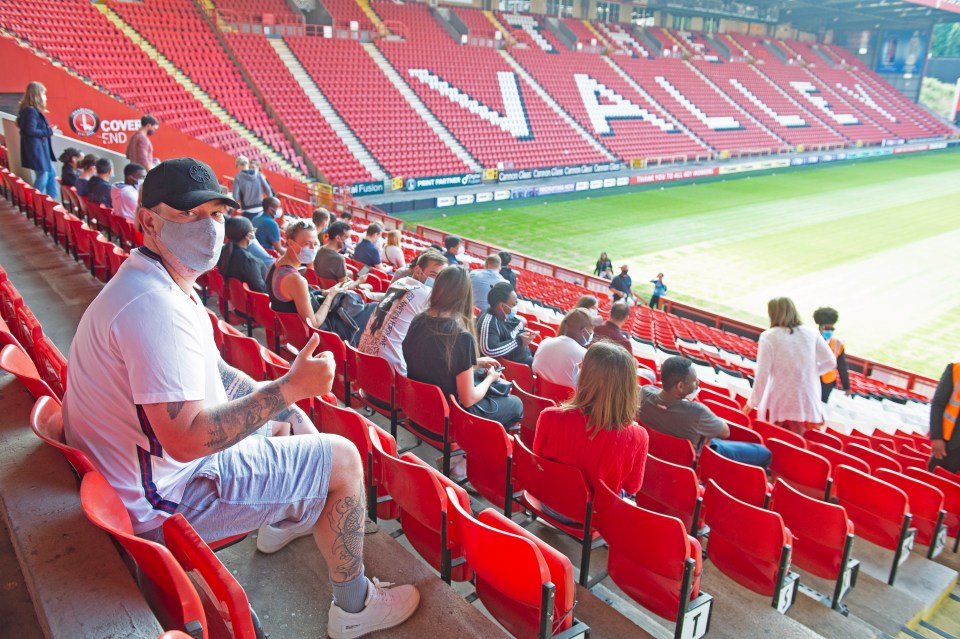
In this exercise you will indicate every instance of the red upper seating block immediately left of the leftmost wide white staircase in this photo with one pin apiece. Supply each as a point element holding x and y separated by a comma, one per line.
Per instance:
<point>320,143</point>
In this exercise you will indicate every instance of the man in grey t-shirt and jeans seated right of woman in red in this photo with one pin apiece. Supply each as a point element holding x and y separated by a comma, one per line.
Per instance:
<point>671,411</point>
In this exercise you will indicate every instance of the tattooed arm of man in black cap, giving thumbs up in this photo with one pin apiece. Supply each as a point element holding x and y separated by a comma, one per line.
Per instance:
<point>191,430</point>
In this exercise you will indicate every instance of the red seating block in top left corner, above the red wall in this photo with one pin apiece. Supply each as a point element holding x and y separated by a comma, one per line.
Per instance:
<point>78,35</point>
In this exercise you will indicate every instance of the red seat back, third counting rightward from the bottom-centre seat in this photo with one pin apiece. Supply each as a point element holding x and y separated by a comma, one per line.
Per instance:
<point>746,542</point>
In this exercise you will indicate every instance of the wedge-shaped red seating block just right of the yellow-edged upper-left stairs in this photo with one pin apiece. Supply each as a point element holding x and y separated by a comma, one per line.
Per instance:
<point>178,31</point>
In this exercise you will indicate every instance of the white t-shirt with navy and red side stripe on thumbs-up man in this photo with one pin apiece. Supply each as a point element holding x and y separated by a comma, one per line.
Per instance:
<point>141,341</point>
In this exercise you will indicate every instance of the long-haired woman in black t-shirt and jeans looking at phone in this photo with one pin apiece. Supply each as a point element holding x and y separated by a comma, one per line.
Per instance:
<point>440,348</point>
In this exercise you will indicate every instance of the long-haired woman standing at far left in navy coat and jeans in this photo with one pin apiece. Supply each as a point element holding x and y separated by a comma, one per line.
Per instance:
<point>36,147</point>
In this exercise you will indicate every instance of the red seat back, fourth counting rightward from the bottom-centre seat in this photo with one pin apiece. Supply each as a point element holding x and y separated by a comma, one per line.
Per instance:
<point>819,530</point>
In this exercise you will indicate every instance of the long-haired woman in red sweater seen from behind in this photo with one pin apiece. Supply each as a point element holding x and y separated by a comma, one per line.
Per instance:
<point>597,431</point>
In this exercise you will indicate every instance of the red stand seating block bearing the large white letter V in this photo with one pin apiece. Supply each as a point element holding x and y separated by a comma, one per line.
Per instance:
<point>528,133</point>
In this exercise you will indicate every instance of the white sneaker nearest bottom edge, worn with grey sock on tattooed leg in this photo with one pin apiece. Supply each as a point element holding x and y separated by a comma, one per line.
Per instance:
<point>384,608</point>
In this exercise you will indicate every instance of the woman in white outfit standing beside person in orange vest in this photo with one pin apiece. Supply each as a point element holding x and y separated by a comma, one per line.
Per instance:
<point>790,360</point>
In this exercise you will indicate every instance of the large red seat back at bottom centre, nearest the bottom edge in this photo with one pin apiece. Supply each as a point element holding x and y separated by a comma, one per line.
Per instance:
<point>512,568</point>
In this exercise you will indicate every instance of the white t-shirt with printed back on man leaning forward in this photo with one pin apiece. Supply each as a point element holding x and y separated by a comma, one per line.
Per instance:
<point>387,341</point>
